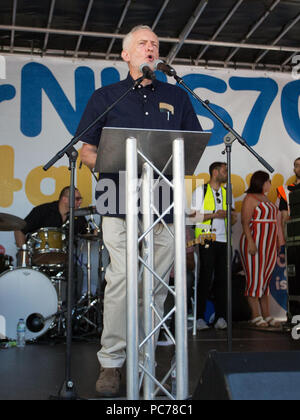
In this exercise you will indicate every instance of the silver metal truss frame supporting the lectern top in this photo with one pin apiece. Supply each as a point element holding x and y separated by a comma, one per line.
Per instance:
<point>152,319</point>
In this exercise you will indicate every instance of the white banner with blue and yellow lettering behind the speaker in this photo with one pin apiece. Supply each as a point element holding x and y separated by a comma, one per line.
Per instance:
<point>63,85</point>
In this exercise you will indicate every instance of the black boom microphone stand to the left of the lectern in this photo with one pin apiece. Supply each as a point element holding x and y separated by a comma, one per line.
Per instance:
<point>67,390</point>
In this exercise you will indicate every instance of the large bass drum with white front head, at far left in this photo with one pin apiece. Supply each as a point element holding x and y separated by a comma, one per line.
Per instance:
<point>25,292</point>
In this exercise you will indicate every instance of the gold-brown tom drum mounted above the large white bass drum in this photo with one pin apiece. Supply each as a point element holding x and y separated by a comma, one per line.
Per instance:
<point>48,247</point>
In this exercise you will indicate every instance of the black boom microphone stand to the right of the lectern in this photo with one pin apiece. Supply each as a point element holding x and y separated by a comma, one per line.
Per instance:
<point>228,140</point>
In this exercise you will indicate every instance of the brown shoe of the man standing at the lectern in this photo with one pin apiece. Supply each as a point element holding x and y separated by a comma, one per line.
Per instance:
<point>108,383</point>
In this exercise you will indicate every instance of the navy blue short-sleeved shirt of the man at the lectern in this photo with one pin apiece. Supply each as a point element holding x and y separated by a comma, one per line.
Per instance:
<point>160,106</point>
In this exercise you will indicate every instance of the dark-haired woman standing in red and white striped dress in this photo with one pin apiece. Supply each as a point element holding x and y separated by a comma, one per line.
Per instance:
<point>258,246</point>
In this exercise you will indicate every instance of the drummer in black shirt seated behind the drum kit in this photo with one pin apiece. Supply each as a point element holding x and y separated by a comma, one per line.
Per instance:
<point>54,214</point>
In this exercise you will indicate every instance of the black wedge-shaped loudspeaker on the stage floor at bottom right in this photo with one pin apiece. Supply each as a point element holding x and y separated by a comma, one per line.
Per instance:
<point>250,376</point>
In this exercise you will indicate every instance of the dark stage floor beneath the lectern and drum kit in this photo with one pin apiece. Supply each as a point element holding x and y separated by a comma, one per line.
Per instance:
<point>38,371</point>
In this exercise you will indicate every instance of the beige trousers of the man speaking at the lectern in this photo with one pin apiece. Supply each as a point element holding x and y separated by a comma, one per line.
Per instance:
<point>113,340</point>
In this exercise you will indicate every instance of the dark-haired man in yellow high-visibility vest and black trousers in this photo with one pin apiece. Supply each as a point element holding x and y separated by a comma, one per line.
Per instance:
<point>209,205</point>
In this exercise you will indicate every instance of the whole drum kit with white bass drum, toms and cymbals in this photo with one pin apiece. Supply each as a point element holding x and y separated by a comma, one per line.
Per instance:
<point>35,289</point>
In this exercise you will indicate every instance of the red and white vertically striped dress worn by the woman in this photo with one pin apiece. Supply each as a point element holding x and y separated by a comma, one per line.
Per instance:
<point>259,267</point>
